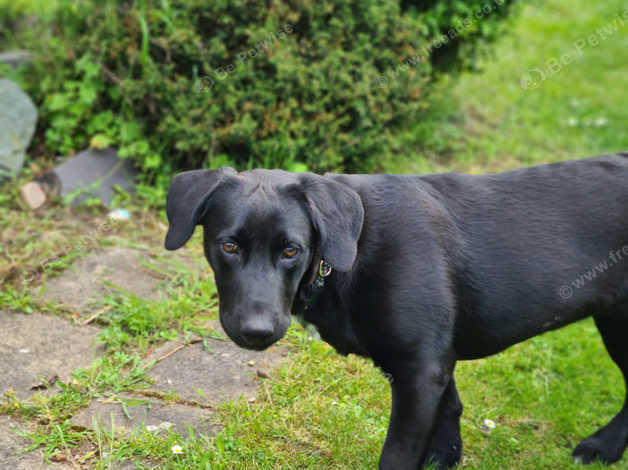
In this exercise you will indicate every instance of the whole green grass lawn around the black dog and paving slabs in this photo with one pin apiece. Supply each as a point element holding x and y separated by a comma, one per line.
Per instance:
<point>323,411</point>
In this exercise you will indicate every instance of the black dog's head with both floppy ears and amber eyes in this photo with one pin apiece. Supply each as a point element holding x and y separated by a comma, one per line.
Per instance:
<point>264,232</point>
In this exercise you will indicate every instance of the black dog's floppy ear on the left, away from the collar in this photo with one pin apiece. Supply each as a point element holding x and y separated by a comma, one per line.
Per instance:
<point>188,197</point>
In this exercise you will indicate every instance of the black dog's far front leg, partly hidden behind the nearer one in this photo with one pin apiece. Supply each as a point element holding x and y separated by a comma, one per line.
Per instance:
<point>446,448</point>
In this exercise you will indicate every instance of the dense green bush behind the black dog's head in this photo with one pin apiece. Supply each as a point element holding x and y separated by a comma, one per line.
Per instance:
<point>321,84</point>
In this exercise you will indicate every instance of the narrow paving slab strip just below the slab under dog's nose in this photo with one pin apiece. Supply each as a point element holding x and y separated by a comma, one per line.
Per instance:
<point>146,412</point>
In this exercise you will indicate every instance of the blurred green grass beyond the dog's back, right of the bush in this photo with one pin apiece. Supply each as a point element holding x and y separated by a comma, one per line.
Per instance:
<point>489,122</point>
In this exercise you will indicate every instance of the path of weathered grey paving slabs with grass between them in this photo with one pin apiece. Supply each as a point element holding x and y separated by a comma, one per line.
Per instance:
<point>188,381</point>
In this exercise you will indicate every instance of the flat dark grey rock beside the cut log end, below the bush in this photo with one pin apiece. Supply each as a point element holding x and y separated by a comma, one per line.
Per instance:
<point>92,174</point>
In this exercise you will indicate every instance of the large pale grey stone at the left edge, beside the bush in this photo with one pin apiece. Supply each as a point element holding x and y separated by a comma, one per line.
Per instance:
<point>18,116</point>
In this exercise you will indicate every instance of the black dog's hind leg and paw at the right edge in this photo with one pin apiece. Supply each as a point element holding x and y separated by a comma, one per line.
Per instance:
<point>608,443</point>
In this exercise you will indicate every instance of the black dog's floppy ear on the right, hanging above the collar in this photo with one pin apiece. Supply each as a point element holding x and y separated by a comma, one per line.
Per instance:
<point>337,214</point>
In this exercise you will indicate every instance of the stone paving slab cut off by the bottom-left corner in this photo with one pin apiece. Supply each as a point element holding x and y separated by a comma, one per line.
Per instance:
<point>12,447</point>
